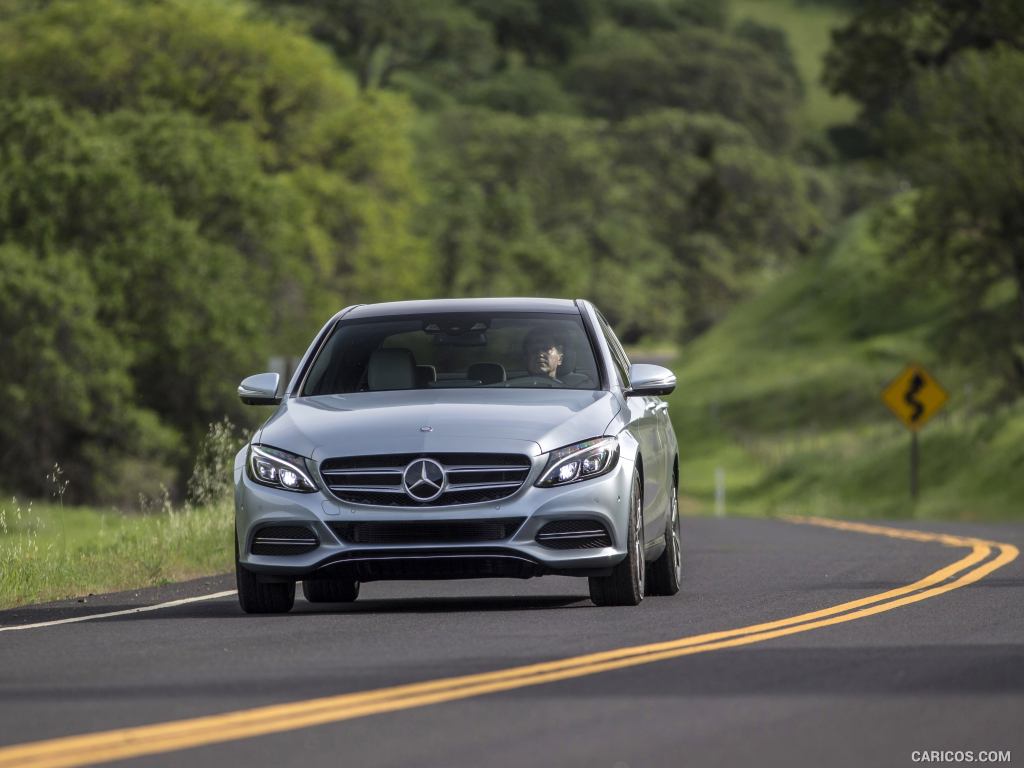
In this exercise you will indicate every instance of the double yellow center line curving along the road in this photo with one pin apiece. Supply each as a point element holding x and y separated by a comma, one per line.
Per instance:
<point>984,559</point>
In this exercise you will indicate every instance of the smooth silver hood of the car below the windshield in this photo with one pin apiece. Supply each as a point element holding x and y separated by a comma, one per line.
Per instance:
<point>523,421</point>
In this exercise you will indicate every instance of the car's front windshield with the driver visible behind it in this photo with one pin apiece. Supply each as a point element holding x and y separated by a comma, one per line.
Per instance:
<point>432,352</point>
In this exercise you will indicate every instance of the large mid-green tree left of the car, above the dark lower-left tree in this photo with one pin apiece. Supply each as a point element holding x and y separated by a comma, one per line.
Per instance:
<point>170,220</point>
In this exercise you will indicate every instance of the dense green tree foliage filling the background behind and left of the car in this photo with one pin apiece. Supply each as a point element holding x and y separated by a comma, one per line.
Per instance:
<point>189,189</point>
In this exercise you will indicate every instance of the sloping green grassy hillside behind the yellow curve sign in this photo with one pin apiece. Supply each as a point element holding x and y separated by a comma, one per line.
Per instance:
<point>785,397</point>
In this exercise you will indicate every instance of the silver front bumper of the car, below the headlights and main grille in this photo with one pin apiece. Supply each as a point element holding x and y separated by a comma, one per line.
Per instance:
<point>604,500</point>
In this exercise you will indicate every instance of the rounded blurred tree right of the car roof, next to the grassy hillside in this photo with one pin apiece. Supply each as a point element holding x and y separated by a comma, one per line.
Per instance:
<point>724,208</point>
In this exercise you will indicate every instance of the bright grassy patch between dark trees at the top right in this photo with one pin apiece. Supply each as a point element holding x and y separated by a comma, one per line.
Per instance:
<point>808,27</point>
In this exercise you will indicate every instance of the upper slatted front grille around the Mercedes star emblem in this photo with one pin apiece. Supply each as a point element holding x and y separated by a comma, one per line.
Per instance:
<point>472,479</point>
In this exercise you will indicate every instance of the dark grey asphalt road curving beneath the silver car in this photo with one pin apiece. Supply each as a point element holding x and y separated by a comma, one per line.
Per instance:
<point>936,672</point>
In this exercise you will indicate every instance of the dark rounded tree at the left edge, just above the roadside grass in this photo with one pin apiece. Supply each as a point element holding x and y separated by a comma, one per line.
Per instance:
<point>66,385</point>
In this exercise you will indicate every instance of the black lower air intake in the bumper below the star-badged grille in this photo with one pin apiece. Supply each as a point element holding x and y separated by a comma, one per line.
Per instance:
<point>433,532</point>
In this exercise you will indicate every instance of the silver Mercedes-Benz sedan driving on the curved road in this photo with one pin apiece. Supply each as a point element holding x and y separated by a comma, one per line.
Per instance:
<point>459,440</point>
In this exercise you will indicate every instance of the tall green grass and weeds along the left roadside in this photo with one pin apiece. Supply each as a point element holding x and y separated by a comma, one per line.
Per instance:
<point>50,552</point>
